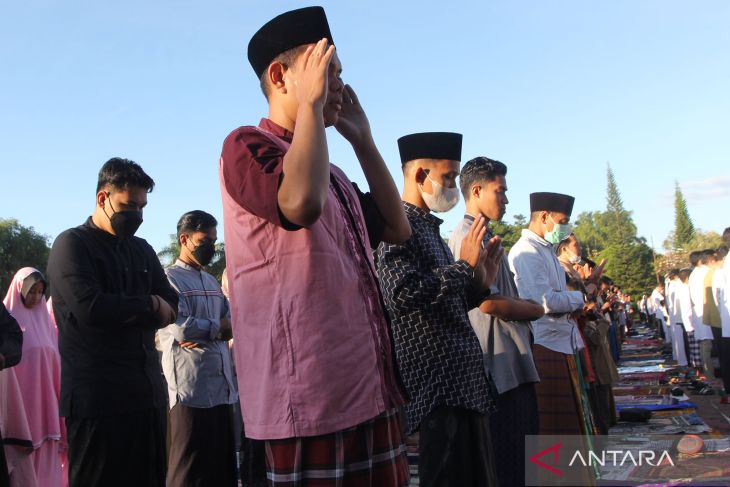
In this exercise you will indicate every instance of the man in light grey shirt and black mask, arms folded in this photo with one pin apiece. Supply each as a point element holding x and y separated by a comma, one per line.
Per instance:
<point>197,364</point>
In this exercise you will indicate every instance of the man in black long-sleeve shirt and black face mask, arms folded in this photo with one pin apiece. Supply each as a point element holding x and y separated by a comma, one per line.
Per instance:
<point>110,295</point>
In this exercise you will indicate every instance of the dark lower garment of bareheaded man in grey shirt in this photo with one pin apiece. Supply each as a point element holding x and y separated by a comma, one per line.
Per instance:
<point>516,417</point>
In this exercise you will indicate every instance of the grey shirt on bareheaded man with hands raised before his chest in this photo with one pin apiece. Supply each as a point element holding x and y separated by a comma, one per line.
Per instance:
<point>506,344</point>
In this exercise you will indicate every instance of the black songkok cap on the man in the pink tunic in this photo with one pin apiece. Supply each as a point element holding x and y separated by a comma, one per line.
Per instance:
<point>287,31</point>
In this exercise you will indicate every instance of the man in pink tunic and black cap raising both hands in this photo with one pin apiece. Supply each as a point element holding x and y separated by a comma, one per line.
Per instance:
<point>313,346</point>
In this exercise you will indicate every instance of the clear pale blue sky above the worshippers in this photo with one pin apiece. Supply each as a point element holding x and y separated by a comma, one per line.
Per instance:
<point>555,89</point>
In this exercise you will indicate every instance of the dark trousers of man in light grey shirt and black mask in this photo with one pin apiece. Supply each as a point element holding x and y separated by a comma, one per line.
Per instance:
<point>203,448</point>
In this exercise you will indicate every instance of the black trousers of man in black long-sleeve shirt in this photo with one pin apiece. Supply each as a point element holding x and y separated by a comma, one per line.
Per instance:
<point>121,450</point>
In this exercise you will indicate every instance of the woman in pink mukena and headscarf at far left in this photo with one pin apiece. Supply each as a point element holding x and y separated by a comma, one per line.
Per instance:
<point>38,378</point>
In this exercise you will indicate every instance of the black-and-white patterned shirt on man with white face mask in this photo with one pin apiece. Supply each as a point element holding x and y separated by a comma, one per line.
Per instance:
<point>428,296</point>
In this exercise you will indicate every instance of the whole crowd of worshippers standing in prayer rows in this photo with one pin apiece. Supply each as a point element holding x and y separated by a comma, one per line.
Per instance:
<point>353,322</point>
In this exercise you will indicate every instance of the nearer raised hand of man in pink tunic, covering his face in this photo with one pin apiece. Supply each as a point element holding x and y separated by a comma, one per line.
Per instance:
<point>312,84</point>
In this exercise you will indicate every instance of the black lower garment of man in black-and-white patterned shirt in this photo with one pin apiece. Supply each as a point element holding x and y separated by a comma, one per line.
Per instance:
<point>455,449</point>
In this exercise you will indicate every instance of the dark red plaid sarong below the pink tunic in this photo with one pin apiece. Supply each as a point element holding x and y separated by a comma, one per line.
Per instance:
<point>371,453</point>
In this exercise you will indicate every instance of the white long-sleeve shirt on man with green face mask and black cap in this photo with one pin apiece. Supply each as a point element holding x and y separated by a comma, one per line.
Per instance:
<point>540,277</point>
